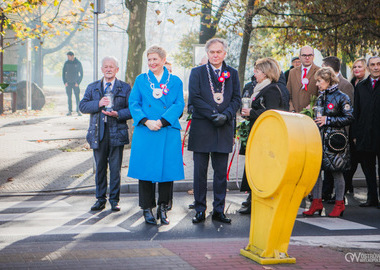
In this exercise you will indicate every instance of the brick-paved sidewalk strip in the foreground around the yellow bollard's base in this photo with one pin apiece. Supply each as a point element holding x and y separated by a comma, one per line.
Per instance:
<point>204,254</point>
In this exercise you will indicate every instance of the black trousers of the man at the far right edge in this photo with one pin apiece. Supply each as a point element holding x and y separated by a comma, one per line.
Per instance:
<point>368,162</point>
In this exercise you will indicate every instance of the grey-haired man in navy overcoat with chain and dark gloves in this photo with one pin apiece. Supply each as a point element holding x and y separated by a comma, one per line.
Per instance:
<point>214,93</point>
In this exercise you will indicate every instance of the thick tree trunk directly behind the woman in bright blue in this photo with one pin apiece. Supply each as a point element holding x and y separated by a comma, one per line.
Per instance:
<point>136,38</point>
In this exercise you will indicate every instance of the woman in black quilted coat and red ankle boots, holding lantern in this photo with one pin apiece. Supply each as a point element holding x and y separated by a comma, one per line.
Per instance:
<point>334,113</point>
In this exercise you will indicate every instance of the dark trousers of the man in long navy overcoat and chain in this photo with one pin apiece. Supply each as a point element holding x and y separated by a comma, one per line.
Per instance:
<point>219,164</point>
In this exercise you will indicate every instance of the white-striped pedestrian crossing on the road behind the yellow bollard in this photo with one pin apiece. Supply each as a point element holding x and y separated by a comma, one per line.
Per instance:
<point>23,218</point>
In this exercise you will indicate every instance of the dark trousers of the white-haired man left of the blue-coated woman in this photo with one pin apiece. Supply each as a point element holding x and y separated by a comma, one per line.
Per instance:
<point>113,156</point>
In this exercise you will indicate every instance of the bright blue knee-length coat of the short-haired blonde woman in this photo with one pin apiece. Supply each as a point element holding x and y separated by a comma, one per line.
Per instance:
<point>156,155</point>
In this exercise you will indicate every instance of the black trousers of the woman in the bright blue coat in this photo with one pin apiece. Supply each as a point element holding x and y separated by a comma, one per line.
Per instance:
<point>147,193</point>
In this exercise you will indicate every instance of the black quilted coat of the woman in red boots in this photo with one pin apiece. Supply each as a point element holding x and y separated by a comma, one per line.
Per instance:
<point>337,107</point>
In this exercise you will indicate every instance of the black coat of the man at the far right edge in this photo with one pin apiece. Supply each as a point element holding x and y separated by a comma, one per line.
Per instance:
<point>366,127</point>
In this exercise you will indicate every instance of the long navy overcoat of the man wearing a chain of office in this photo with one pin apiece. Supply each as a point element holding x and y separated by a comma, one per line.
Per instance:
<point>204,136</point>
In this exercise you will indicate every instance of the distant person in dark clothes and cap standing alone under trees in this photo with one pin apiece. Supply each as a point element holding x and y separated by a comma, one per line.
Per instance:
<point>72,75</point>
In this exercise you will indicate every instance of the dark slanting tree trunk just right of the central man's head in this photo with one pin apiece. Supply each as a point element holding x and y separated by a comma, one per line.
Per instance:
<point>246,38</point>
